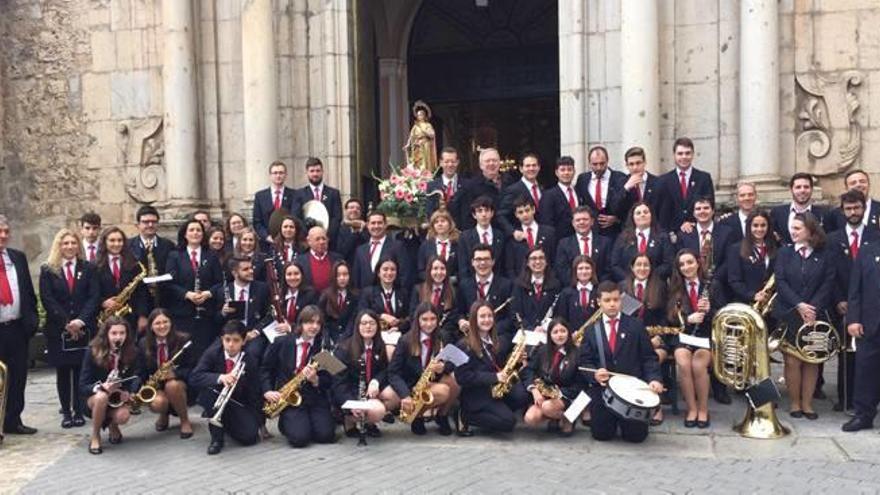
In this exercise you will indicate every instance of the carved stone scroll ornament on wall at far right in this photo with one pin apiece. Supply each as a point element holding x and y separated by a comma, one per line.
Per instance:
<point>829,138</point>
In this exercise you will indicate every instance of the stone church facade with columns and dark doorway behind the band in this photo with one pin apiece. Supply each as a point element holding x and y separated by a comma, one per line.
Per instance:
<point>109,104</point>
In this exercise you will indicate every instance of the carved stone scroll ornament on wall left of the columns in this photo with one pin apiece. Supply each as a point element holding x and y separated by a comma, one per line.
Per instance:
<point>142,151</point>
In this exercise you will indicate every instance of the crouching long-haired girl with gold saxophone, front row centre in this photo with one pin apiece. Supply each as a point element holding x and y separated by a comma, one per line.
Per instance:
<point>414,354</point>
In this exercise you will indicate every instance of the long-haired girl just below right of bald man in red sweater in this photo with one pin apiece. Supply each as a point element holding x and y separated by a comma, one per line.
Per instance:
<point>339,303</point>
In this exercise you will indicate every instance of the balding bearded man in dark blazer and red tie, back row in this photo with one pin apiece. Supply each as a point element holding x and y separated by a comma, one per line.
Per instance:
<point>602,190</point>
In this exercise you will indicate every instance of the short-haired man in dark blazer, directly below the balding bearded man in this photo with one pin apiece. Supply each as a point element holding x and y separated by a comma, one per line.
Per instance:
<point>584,238</point>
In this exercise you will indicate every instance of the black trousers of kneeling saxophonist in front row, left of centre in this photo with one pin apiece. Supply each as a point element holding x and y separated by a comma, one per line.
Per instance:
<point>310,422</point>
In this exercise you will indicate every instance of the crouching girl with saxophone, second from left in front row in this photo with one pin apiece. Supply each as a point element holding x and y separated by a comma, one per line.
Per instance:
<point>160,344</point>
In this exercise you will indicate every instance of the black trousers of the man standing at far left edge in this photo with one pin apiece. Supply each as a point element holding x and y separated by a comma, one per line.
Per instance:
<point>14,354</point>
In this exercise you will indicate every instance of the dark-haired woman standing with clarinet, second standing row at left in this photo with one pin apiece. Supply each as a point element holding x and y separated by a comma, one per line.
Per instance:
<point>194,269</point>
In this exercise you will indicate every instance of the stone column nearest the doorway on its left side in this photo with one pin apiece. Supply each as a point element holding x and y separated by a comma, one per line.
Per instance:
<point>259,92</point>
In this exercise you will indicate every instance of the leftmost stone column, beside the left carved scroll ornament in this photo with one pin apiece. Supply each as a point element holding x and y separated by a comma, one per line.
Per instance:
<point>180,123</point>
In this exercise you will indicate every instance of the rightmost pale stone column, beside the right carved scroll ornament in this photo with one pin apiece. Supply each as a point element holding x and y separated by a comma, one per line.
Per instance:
<point>759,91</point>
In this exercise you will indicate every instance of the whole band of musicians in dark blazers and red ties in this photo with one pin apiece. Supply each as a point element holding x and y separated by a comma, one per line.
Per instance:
<point>497,258</point>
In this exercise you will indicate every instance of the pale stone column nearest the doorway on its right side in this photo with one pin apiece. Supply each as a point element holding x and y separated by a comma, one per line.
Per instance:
<point>640,78</point>
